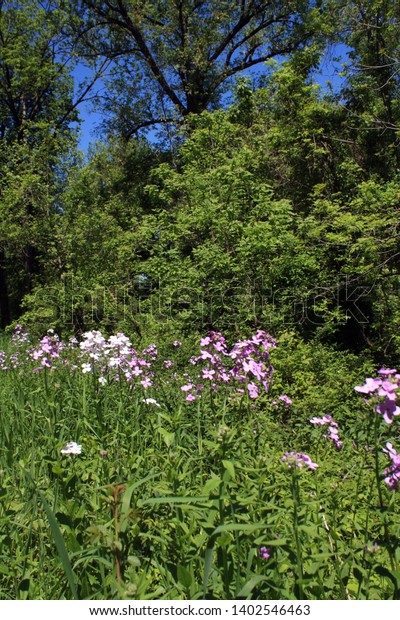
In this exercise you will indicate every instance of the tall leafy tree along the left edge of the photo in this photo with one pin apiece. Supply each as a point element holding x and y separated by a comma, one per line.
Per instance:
<point>36,111</point>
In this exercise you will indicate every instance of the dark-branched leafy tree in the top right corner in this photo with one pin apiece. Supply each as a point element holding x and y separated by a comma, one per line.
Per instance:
<point>371,89</point>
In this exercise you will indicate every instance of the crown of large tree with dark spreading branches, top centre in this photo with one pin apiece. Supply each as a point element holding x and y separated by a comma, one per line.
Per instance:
<point>172,58</point>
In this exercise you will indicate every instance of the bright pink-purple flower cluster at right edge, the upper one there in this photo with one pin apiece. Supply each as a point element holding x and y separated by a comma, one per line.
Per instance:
<point>384,386</point>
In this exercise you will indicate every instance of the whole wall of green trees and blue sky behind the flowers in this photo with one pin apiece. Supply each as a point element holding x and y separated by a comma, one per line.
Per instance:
<point>261,199</point>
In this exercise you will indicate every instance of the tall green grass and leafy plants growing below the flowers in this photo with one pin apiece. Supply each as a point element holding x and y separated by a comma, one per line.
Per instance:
<point>174,502</point>
